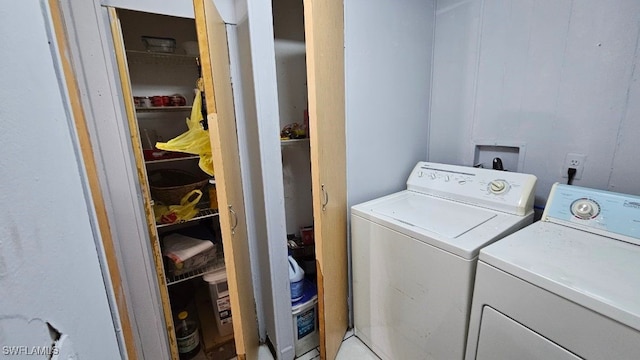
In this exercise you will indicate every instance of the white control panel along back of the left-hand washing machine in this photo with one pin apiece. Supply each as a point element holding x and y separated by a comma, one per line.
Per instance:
<point>497,190</point>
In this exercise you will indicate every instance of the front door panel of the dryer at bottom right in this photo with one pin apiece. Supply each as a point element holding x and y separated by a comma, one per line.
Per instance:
<point>503,338</point>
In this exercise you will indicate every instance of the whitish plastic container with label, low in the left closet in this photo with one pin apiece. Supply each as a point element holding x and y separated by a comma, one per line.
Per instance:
<point>219,292</point>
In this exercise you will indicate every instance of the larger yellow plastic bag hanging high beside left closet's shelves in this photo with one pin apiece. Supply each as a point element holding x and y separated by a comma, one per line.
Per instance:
<point>195,140</point>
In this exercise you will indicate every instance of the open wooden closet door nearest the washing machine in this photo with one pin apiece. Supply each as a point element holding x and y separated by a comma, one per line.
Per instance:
<point>324,33</point>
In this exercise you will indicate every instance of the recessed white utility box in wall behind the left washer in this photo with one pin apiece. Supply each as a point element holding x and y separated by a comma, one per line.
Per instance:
<point>511,154</point>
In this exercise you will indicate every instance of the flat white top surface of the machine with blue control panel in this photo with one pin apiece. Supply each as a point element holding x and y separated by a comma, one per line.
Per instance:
<point>595,271</point>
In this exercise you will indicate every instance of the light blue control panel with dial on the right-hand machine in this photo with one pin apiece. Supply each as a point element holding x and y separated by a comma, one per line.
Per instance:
<point>602,212</point>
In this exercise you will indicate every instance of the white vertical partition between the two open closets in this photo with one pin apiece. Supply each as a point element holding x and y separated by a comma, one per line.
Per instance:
<point>259,143</point>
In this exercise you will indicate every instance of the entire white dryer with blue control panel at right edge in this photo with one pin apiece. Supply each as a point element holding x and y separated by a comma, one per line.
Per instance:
<point>566,287</point>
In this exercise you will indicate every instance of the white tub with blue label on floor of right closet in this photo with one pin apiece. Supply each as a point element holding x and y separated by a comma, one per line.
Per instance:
<point>305,320</point>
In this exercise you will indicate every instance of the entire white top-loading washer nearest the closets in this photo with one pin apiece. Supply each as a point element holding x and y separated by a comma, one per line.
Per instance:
<point>414,256</point>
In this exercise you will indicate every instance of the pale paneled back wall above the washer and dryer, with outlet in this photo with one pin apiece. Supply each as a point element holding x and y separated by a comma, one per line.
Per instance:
<point>557,76</point>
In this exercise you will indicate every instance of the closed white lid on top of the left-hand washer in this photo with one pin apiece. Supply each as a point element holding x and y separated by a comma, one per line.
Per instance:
<point>442,217</point>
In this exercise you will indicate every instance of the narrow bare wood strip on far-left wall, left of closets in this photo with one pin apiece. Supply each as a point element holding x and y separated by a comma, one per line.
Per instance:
<point>91,172</point>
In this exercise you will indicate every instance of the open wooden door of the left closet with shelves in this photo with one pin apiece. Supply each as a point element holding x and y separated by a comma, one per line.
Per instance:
<point>211,29</point>
